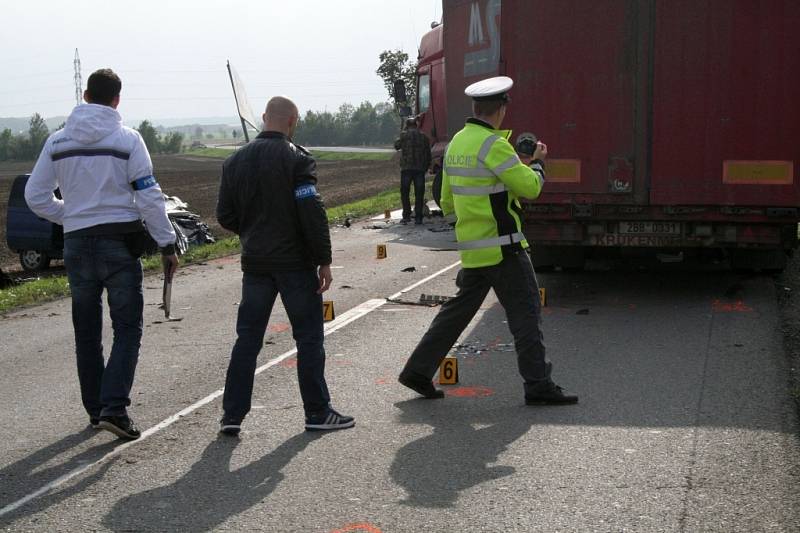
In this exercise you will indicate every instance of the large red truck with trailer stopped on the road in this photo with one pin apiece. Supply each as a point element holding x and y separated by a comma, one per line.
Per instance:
<point>671,124</point>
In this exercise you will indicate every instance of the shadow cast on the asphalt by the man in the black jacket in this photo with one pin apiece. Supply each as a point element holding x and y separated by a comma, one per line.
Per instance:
<point>210,493</point>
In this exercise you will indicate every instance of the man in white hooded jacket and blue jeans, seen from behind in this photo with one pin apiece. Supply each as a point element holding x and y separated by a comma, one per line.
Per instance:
<point>104,174</point>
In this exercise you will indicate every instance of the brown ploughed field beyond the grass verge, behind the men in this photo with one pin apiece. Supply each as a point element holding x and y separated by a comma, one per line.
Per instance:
<point>195,180</point>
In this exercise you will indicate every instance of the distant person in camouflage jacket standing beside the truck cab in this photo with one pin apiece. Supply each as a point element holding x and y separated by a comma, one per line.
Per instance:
<point>415,158</point>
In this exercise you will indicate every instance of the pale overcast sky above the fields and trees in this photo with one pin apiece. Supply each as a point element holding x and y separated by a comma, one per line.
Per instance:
<point>171,54</point>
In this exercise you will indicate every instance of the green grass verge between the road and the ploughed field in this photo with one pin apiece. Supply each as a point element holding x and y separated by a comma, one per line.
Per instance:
<point>51,288</point>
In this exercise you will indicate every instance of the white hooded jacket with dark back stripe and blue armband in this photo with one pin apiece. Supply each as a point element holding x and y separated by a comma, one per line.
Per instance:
<point>104,174</point>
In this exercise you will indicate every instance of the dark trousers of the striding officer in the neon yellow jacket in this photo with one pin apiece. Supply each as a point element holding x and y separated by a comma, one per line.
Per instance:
<point>514,282</point>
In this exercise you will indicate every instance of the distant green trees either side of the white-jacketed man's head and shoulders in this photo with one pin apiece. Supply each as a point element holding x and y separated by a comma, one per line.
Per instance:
<point>27,146</point>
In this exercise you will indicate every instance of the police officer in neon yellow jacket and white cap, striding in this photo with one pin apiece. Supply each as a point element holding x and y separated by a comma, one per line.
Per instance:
<point>482,183</point>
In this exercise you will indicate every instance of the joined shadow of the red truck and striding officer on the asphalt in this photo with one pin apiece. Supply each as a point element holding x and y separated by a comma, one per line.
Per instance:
<point>671,350</point>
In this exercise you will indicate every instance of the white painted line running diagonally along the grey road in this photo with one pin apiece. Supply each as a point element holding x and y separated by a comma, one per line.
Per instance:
<point>343,320</point>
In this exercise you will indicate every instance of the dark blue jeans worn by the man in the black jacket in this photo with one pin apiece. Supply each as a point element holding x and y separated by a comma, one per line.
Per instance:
<point>298,290</point>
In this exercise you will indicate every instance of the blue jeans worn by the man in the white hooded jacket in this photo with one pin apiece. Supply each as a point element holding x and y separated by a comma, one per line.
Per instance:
<point>94,264</point>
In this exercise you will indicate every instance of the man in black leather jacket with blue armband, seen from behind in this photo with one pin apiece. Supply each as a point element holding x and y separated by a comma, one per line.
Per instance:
<point>268,197</point>
